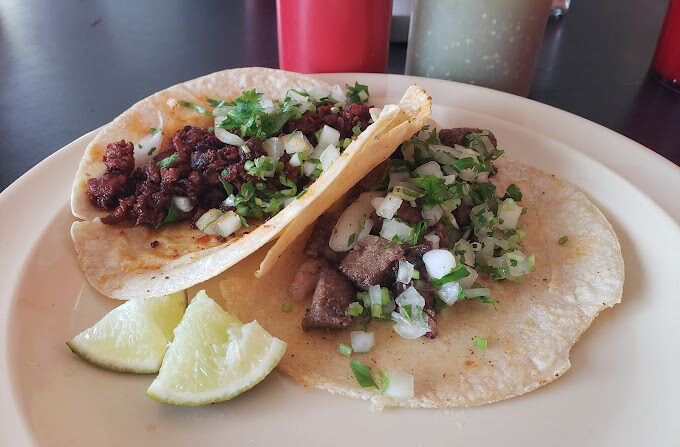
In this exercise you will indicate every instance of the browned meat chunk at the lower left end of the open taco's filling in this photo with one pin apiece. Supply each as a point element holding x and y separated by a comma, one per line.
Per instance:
<point>332,295</point>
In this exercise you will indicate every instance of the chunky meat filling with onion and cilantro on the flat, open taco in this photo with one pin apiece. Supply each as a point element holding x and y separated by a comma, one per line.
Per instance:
<point>427,229</point>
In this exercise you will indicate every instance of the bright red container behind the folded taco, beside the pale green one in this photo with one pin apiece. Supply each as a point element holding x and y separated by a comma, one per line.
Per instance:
<point>323,36</point>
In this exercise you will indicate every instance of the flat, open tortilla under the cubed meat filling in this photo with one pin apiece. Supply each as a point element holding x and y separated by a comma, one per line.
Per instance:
<point>529,336</point>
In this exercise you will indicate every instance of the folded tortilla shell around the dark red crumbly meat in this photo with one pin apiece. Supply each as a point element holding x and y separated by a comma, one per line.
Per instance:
<point>119,261</point>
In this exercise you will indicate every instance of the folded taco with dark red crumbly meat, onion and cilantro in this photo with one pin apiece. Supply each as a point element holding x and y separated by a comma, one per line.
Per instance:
<point>194,178</point>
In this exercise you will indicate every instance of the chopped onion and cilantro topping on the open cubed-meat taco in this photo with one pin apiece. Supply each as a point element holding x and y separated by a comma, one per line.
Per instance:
<point>474,232</point>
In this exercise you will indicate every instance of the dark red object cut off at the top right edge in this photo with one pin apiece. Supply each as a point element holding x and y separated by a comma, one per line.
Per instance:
<point>666,61</point>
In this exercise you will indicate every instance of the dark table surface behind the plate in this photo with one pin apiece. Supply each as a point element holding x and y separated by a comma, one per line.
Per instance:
<point>69,66</point>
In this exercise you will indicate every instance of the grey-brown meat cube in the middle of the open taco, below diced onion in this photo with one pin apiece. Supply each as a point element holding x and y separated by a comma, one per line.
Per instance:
<point>370,263</point>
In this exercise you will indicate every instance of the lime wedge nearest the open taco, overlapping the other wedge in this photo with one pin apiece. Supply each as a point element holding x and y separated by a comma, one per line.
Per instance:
<point>214,357</point>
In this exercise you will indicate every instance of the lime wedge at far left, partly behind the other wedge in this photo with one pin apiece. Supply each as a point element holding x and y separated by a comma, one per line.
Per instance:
<point>134,336</point>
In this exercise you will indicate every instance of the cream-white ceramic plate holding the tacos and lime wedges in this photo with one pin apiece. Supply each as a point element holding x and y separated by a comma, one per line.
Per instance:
<point>622,388</point>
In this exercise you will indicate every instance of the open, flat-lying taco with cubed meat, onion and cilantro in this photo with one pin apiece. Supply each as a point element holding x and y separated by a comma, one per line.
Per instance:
<point>447,277</point>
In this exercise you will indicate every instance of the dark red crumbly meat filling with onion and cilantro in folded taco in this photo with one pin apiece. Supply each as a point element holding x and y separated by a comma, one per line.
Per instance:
<point>259,156</point>
